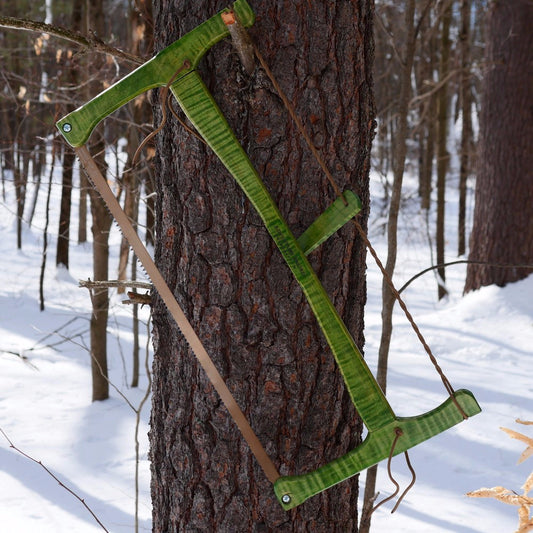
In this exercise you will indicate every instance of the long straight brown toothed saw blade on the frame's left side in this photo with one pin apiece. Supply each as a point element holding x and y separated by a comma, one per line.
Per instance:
<point>175,310</point>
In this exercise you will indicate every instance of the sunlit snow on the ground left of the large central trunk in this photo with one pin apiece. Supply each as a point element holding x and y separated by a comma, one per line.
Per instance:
<point>45,393</point>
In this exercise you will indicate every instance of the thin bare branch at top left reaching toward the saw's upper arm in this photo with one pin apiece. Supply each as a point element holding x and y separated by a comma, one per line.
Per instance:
<point>89,43</point>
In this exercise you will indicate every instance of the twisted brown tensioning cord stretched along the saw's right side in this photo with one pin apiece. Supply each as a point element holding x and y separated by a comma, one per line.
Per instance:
<point>361,231</point>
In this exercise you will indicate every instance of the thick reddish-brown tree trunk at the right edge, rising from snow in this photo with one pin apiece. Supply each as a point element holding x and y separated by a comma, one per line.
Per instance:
<point>503,231</point>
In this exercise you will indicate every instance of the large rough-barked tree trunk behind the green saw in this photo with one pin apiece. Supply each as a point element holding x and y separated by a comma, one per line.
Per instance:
<point>235,287</point>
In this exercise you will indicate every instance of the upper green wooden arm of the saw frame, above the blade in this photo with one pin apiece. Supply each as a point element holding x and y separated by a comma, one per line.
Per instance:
<point>181,56</point>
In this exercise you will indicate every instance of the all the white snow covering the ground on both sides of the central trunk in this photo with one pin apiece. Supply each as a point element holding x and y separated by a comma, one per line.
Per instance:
<point>482,340</point>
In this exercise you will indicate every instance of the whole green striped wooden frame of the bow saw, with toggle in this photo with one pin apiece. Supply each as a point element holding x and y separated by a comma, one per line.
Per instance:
<point>197,103</point>
